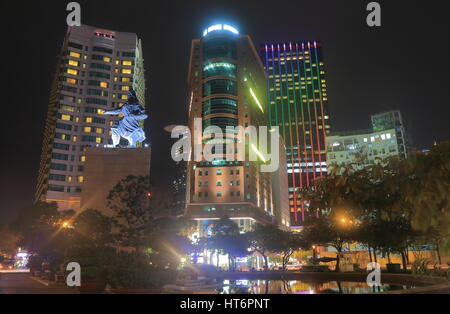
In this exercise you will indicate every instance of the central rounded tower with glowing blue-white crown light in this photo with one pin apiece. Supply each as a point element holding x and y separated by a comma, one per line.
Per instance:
<point>227,86</point>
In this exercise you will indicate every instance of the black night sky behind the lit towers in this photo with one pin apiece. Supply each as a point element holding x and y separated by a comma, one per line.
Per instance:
<point>402,65</point>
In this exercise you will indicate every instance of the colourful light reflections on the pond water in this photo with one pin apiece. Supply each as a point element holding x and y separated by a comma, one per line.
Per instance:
<point>302,287</point>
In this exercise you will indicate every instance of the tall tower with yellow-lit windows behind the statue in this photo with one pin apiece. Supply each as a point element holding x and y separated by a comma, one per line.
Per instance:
<point>95,70</point>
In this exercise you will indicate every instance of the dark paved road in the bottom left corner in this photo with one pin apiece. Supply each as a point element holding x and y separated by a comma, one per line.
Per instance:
<point>21,283</point>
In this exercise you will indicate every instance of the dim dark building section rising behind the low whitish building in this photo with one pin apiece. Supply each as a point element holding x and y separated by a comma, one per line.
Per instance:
<point>393,120</point>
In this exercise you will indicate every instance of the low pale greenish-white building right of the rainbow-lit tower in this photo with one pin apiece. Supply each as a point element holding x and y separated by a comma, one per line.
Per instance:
<point>364,147</point>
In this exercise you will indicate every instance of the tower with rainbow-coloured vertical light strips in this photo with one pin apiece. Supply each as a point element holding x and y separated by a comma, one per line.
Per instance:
<point>297,98</point>
